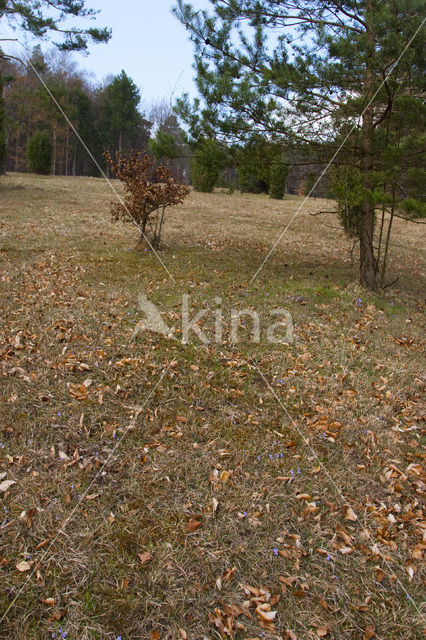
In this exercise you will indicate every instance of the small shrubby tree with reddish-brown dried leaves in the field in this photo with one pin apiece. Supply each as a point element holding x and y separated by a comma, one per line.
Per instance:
<point>149,190</point>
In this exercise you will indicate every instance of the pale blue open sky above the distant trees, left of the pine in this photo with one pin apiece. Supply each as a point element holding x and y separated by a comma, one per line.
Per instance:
<point>148,42</point>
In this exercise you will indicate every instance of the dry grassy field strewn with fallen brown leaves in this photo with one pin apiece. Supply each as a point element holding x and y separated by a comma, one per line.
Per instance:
<point>201,491</point>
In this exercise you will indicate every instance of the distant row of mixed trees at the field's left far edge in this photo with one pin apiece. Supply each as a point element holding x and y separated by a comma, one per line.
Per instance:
<point>37,97</point>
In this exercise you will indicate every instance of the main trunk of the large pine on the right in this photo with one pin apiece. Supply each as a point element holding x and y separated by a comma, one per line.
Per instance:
<point>367,266</point>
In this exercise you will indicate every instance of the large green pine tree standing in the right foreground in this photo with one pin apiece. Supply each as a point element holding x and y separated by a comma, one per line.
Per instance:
<point>332,67</point>
